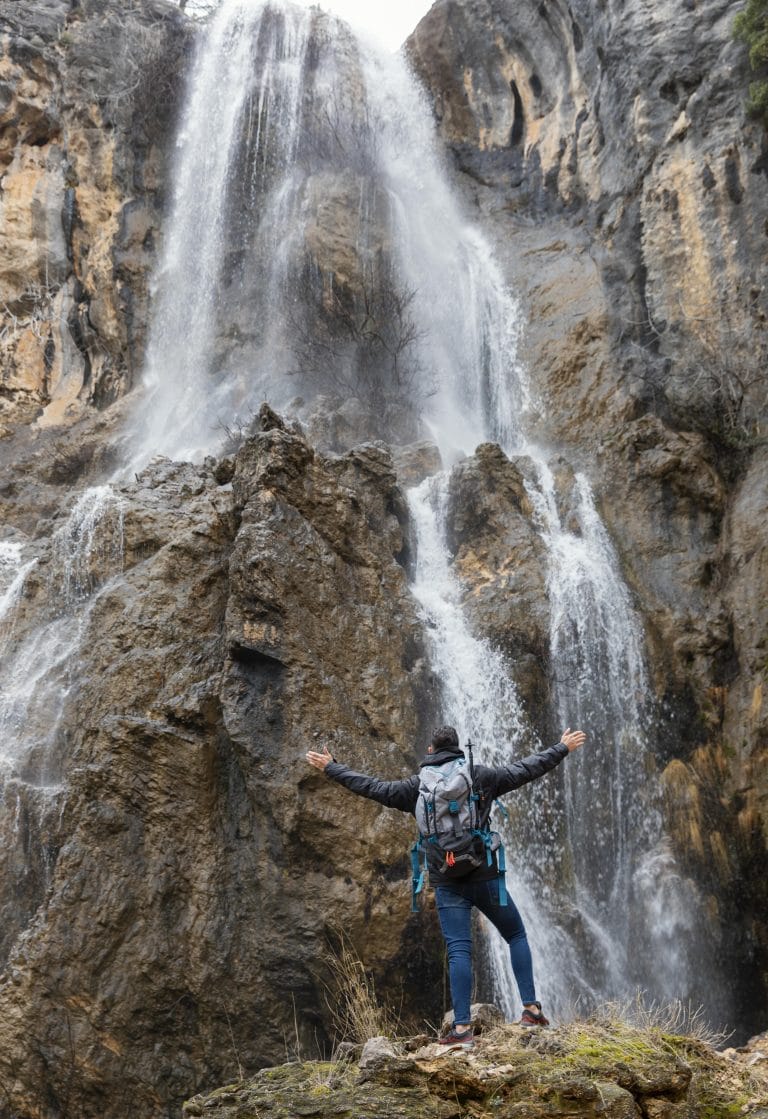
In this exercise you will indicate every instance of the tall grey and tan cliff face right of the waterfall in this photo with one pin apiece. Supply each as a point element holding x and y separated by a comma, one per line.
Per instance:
<point>608,149</point>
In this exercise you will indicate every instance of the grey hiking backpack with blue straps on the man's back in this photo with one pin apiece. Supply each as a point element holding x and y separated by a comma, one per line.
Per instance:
<point>452,844</point>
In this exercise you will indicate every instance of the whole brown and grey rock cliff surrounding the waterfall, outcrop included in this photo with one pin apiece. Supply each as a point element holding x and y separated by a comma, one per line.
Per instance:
<point>167,908</point>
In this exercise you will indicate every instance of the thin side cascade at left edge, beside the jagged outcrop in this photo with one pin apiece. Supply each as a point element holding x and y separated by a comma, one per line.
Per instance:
<point>39,671</point>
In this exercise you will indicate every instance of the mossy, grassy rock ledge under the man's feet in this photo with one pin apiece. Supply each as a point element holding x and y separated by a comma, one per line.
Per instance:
<point>600,1068</point>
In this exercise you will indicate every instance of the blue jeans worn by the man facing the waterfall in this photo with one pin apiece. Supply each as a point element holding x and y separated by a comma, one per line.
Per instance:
<point>455,909</point>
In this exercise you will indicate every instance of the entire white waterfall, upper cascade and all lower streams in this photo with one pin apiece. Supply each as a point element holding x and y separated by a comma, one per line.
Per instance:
<point>307,174</point>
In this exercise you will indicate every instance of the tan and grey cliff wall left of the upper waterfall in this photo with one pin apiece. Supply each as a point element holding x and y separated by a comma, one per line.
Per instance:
<point>83,170</point>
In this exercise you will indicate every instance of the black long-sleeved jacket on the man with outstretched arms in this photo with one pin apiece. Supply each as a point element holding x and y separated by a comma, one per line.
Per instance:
<point>490,783</point>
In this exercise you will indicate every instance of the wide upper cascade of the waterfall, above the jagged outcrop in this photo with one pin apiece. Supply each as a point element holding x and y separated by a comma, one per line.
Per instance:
<point>296,136</point>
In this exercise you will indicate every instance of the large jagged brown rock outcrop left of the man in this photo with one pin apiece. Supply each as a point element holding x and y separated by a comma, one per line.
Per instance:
<point>261,608</point>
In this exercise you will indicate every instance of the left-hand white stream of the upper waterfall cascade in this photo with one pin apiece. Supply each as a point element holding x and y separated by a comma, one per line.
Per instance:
<point>243,161</point>
